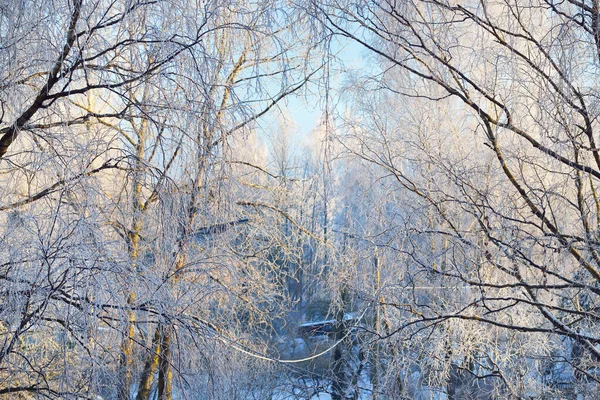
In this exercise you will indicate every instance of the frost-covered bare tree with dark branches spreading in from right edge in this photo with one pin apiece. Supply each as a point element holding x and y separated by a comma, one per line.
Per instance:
<point>509,173</point>
